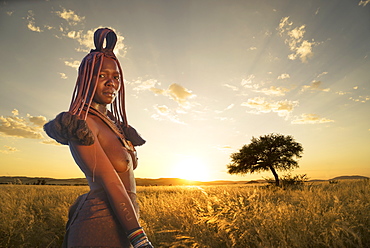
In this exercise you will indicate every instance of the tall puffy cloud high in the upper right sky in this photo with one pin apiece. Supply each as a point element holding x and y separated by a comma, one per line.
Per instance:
<point>294,38</point>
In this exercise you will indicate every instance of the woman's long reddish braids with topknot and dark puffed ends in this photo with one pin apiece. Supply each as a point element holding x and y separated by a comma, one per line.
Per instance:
<point>72,125</point>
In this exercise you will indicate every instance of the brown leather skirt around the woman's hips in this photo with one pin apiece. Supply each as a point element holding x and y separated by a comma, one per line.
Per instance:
<point>92,223</point>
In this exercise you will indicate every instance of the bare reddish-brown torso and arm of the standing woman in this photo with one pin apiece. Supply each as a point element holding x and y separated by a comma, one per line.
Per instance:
<point>107,164</point>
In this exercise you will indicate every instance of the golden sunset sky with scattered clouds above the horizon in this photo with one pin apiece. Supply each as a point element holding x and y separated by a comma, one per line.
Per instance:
<point>202,78</point>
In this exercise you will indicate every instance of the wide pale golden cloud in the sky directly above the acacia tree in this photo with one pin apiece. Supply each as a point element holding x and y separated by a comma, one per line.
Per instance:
<point>282,108</point>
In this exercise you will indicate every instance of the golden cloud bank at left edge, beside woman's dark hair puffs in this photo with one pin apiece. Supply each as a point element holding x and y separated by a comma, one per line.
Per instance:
<point>30,127</point>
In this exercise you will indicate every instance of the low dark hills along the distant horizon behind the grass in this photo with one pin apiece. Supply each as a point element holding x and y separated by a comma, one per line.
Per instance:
<point>143,181</point>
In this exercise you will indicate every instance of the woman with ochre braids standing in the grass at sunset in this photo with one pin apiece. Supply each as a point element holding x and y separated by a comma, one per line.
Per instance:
<point>102,144</point>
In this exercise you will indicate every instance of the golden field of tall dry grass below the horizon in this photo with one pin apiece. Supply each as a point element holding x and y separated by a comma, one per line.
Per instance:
<point>314,215</point>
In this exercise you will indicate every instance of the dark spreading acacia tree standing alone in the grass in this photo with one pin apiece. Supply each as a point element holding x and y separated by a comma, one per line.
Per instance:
<point>269,152</point>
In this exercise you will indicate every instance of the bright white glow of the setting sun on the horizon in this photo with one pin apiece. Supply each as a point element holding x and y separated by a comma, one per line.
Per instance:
<point>191,168</point>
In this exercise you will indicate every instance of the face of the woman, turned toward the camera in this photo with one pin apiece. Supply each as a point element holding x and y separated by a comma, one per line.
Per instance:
<point>108,82</point>
